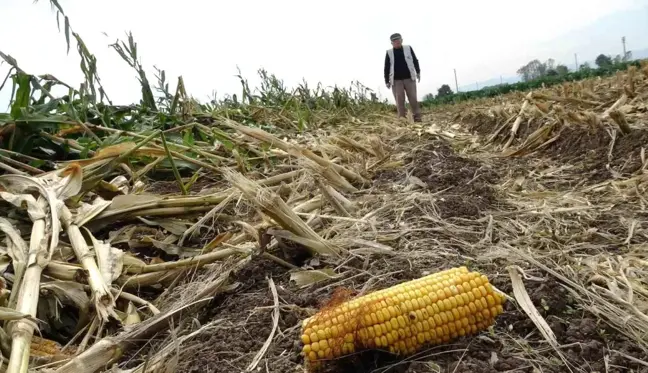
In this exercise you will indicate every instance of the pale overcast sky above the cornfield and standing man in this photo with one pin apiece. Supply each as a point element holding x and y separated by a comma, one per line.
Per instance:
<point>334,41</point>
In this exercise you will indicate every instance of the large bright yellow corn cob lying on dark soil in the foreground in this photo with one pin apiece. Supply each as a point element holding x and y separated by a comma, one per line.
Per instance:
<point>405,317</point>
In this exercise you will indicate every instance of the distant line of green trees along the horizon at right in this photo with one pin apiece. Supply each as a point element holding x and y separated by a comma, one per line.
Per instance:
<point>533,75</point>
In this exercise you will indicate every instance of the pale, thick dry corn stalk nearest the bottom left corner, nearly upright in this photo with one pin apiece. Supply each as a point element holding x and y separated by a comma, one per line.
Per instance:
<point>22,330</point>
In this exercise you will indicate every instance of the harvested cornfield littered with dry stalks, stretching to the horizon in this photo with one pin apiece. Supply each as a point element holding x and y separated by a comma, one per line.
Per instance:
<point>177,236</point>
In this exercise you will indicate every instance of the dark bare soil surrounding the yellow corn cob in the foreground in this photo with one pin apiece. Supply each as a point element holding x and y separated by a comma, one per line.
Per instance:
<point>247,326</point>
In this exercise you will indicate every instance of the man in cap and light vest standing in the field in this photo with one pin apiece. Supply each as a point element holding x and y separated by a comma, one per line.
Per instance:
<point>401,70</point>
